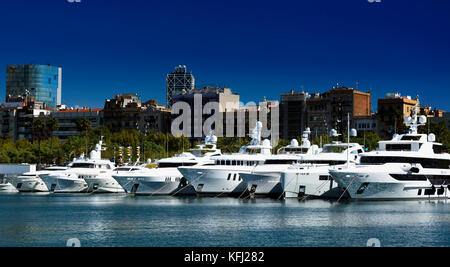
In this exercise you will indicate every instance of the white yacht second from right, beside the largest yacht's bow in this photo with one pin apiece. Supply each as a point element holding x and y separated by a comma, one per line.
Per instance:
<point>310,177</point>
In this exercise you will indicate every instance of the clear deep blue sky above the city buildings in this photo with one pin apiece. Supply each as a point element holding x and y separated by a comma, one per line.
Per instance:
<point>258,48</point>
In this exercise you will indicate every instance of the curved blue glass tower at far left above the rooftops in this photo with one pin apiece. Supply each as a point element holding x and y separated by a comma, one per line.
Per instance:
<point>43,82</point>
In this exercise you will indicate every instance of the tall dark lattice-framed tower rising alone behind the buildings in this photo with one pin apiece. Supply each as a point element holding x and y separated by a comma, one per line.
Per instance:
<point>178,82</point>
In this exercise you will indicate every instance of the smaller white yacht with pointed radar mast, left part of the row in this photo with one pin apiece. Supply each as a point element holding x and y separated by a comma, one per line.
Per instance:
<point>91,174</point>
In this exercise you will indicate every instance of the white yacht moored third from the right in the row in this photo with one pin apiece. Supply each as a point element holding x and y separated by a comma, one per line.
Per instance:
<point>266,179</point>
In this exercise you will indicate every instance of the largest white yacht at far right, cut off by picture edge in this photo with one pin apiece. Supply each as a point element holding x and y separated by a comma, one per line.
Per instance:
<point>410,166</point>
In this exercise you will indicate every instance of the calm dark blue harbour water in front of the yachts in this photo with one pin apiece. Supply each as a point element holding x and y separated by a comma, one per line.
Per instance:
<point>108,220</point>
